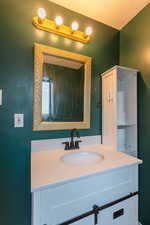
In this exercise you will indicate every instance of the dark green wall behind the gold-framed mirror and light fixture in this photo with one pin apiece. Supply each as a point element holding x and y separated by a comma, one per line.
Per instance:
<point>16,79</point>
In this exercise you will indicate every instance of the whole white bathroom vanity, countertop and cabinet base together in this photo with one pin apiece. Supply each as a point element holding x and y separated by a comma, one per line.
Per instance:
<point>62,190</point>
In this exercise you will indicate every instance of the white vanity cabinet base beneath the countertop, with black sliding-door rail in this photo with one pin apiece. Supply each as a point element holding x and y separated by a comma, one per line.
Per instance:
<point>57,203</point>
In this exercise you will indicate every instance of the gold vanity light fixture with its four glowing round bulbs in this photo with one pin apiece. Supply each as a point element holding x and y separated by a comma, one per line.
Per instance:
<point>57,27</point>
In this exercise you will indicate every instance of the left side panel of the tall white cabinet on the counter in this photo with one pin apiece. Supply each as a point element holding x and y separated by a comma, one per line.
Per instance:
<point>109,112</point>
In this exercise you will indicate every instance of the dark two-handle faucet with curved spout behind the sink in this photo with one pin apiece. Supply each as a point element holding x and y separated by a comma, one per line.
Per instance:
<point>73,144</point>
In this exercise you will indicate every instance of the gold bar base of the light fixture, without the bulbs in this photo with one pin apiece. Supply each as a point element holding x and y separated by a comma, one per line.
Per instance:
<point>65,31</point>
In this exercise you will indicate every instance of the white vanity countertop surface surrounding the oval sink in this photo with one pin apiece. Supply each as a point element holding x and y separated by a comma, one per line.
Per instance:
<point>47,170</point>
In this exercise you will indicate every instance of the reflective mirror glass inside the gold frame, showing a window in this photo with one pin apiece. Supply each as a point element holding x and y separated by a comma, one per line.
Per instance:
<point>62,89</point>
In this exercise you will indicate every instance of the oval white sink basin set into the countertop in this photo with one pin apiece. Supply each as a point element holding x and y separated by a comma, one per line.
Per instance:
<point>82,157</point>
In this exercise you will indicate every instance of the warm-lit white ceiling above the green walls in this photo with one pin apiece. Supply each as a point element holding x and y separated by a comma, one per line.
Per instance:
<point>115,13</point>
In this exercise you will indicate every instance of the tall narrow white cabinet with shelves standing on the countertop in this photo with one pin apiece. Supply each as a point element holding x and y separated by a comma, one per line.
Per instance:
<point>119,109</point>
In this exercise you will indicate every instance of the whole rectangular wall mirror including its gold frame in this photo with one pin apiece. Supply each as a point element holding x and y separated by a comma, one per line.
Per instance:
<point>62,89</point>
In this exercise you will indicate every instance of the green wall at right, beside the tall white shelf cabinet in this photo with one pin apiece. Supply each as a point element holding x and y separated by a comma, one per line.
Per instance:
<point>135,53</point>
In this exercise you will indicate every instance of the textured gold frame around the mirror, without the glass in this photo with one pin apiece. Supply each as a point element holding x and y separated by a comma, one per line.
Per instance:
<point>38,124</point>
